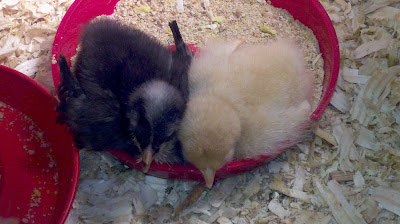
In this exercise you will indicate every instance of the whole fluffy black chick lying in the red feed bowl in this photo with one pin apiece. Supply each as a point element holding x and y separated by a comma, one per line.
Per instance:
<point>141,75</point>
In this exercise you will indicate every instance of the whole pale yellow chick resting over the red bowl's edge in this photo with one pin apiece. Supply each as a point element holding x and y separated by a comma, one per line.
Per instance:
<point>244,101</point>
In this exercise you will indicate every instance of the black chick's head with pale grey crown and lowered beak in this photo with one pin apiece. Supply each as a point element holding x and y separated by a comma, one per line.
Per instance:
<point>155,111</point>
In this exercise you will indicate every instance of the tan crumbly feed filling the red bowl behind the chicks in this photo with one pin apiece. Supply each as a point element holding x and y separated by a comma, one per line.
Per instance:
<point>252,21</point>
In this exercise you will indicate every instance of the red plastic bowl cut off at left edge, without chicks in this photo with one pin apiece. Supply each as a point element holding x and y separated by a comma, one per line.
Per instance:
<point>39,167</point>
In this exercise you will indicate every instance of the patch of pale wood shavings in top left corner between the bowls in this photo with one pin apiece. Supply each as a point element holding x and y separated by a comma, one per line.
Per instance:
<point>27,30</point>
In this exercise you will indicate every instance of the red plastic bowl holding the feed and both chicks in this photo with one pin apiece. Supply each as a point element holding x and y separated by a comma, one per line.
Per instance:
<point>309,12</point>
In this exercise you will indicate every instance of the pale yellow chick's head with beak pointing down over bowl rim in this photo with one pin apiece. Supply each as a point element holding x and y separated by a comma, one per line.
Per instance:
<point>209,132</point>
